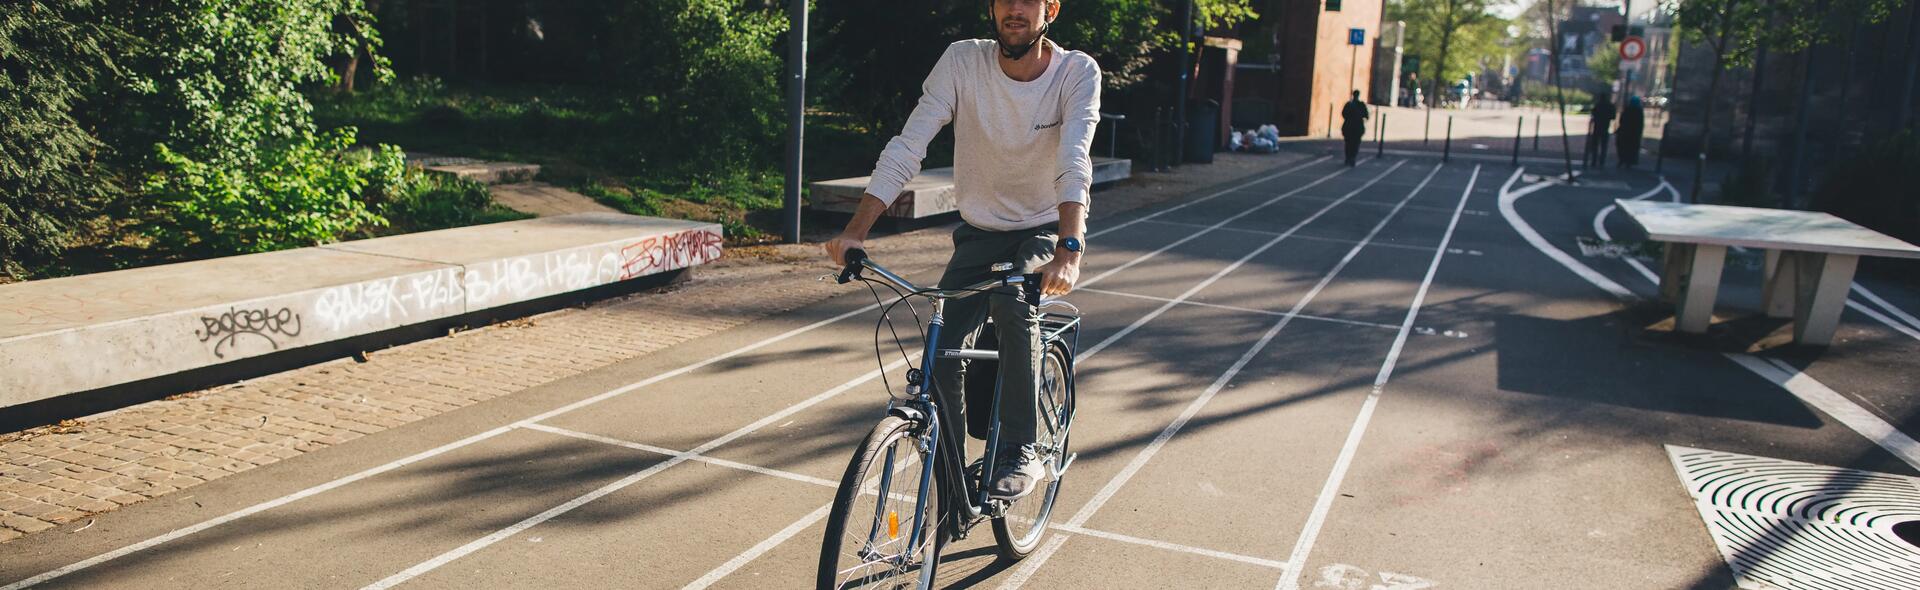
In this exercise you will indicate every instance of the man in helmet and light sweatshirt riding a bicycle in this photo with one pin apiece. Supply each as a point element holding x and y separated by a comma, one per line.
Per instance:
<point>1024,112</point>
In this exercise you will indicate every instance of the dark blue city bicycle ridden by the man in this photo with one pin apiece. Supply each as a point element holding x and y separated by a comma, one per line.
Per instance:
<point>909,491</point>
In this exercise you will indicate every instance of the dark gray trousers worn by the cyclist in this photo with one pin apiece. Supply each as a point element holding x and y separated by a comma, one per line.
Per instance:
<point>1017,326</point>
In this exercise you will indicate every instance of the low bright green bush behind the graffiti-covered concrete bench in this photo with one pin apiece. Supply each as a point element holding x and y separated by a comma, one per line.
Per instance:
<point>299,193</point>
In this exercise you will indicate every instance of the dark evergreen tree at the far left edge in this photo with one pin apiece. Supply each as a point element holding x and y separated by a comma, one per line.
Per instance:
<point>53,55</point>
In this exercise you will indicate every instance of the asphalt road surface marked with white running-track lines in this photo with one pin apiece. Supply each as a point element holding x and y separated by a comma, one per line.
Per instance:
<point>1318,378</point>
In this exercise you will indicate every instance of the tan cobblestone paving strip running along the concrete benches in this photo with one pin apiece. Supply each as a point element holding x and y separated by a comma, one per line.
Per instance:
<point>68,472</point>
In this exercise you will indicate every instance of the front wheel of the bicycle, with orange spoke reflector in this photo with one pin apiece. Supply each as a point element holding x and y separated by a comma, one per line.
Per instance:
<point>871,539</point>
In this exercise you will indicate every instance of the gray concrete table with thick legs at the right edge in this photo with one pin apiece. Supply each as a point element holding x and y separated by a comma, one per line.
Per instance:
<point>1810,260</point>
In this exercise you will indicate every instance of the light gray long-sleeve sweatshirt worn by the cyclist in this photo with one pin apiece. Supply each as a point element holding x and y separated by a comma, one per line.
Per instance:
<point>1020,149</point>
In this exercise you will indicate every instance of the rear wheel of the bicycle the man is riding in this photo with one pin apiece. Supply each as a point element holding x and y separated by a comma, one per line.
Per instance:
<point>1024,524</point>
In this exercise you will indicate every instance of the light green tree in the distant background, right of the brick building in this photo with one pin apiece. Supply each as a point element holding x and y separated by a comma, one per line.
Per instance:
<point>1451,36</point>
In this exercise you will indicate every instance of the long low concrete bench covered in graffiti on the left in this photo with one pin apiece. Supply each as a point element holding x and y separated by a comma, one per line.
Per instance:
<point>95,332</point>
